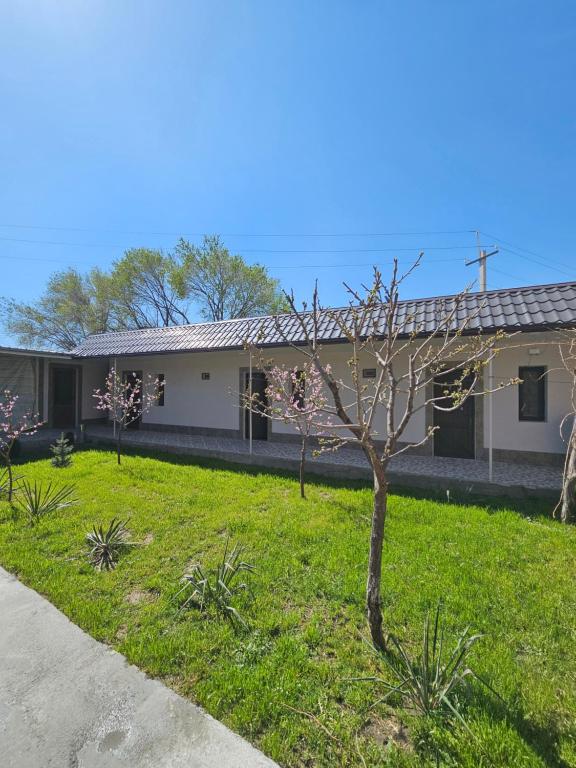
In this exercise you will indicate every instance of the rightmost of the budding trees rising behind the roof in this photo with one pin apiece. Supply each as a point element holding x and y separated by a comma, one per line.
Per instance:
<point>223,285</point>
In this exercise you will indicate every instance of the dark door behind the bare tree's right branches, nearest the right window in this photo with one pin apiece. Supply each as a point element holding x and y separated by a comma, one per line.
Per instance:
<point>455,436</point>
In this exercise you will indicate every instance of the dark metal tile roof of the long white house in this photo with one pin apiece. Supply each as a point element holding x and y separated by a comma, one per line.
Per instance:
<point>535,307</point>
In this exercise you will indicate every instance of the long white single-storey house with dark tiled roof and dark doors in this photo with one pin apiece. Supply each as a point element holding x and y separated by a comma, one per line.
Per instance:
<point>205,366</point>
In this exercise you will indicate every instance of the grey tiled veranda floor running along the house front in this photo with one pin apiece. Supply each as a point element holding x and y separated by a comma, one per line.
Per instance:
<point>425,471</point>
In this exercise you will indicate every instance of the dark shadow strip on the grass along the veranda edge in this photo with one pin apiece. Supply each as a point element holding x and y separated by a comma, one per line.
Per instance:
<point>529,506</point>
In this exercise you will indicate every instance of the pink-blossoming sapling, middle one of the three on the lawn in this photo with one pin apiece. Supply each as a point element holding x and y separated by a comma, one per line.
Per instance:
<point>125,399</point>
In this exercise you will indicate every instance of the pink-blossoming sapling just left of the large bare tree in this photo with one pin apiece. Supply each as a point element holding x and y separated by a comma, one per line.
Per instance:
<point>297,396</point>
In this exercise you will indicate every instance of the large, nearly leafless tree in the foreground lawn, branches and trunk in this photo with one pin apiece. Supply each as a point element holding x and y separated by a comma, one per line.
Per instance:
<point>409,355</point>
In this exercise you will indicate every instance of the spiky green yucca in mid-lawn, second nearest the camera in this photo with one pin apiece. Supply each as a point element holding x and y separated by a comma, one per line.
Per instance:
<point>217,587</point>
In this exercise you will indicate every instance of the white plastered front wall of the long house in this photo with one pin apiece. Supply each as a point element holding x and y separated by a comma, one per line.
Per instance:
<point>213,404</point>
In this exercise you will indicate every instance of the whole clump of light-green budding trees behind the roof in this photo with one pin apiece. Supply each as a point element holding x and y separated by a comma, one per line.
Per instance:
<point>145,288</point>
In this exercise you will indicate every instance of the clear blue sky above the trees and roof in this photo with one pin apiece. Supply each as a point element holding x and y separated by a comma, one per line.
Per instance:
<point>129,123</point>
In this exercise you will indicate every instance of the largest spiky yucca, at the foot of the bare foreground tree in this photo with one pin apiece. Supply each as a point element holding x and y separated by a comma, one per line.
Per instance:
<point>429,684</point>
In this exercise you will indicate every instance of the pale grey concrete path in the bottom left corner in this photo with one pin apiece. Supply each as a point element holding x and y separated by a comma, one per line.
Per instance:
<point>67,701</point>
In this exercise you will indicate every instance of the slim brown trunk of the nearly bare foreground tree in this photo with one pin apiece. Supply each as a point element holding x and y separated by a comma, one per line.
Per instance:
<point>373,597</point>
